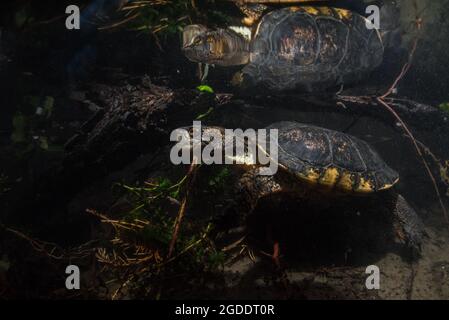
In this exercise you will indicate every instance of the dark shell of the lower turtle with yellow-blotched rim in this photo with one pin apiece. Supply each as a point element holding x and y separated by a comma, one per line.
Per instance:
<point>331,159</point>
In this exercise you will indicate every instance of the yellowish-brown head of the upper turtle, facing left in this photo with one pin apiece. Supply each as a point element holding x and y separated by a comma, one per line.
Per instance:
<point>222,47</point>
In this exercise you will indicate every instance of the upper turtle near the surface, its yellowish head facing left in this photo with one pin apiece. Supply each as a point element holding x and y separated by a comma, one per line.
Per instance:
<point>303,48</point>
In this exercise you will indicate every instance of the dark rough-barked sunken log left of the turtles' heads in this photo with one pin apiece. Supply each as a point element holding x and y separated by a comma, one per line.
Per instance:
<point>132,120</point>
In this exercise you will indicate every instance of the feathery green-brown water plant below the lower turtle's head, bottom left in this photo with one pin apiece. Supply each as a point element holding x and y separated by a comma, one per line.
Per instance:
<point>138,251</point>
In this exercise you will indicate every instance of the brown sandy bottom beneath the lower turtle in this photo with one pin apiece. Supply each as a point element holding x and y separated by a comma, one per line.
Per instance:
<point>251,274</point>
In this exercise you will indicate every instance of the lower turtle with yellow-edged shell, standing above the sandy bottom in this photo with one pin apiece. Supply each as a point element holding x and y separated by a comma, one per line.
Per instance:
<point>323,165</point>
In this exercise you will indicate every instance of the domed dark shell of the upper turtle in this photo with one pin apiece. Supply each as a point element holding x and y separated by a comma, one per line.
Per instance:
<point>312,47</point>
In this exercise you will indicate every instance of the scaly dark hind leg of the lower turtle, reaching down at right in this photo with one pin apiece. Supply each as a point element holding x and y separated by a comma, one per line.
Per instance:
<point>408,226</point>
